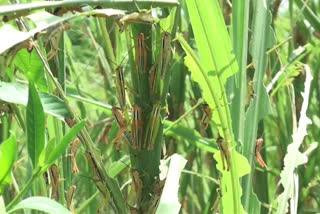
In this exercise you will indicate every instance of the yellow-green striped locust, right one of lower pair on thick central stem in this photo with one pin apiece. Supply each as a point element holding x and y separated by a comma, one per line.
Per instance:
<point>152,127</point>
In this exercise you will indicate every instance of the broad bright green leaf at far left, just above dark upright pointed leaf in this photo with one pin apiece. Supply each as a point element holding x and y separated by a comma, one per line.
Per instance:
<point>32,66</point>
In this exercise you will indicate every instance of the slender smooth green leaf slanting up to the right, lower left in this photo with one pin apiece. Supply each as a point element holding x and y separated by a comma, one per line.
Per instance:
<point>60,149</point>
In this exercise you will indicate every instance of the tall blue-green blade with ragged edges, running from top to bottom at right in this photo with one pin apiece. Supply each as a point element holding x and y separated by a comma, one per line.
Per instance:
<point>262,39</point>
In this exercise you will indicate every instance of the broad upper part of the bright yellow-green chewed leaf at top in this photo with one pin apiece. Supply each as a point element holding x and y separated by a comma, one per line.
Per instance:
<point>217,61</point>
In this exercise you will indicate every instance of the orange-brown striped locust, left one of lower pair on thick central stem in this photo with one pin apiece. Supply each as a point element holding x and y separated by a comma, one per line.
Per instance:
<point>137,127</point>
